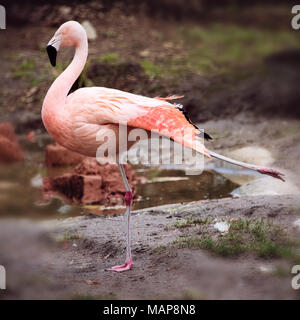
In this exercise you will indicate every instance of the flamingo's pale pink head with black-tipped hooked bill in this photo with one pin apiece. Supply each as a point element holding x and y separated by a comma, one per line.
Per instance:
<point>69,34</point>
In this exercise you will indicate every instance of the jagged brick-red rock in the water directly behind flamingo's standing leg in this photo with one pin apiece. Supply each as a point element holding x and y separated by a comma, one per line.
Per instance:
<point>90,183</point>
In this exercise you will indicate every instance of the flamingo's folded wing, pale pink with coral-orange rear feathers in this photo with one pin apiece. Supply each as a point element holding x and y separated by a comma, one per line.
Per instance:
<point>104,105</point>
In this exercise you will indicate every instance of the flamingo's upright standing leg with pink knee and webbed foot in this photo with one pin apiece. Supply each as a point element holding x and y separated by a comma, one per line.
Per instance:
<point>128,200</point>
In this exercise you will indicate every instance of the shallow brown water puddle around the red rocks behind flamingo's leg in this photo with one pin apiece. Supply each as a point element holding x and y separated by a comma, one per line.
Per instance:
<point>20,190</point>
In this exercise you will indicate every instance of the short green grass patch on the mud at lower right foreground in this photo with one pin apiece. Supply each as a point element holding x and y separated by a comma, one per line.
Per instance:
<point>245,236</point>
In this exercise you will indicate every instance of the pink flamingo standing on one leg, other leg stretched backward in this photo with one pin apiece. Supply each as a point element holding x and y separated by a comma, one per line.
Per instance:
<point>75,120</point>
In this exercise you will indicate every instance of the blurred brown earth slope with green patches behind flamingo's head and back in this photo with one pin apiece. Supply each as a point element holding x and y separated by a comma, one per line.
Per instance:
<point>204,50</point>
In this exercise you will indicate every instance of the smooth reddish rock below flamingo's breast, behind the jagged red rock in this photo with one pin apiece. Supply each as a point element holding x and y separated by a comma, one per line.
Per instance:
<point>57,155</point>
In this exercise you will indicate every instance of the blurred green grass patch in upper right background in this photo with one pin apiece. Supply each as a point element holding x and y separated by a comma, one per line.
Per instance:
<point>218,48</point>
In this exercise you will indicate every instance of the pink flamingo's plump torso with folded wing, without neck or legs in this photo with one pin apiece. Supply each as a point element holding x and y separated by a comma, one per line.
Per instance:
<point>91,112</point>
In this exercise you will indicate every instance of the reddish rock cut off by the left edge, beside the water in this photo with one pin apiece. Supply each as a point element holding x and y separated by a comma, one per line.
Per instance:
<point>10,150</point>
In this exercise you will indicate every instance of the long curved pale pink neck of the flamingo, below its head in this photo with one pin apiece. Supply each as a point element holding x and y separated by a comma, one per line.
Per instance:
<point>56,95</point>
